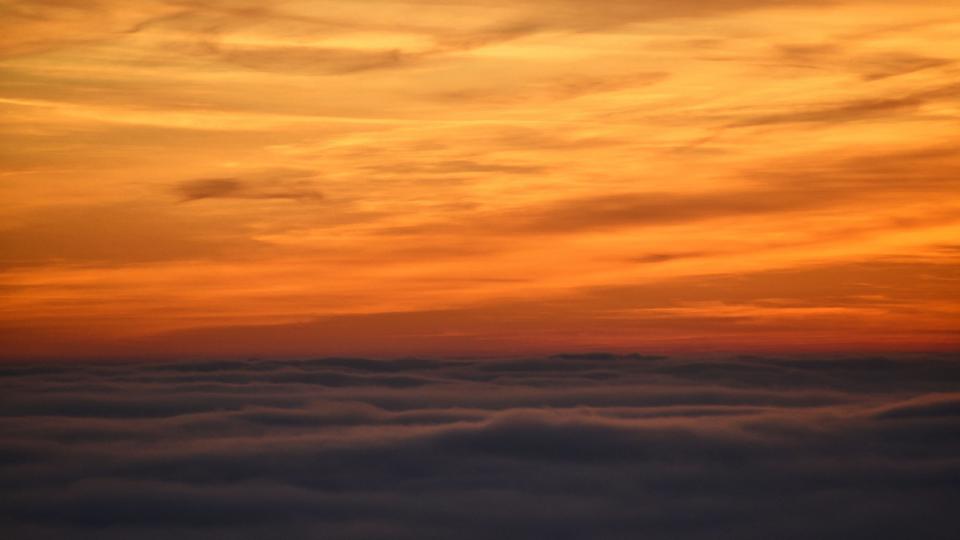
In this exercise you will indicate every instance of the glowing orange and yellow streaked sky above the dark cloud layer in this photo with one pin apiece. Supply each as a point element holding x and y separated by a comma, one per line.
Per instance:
<point>391,177</point>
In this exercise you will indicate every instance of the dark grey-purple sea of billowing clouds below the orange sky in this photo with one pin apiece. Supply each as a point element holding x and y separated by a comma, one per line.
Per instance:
<point>574,446</point>
